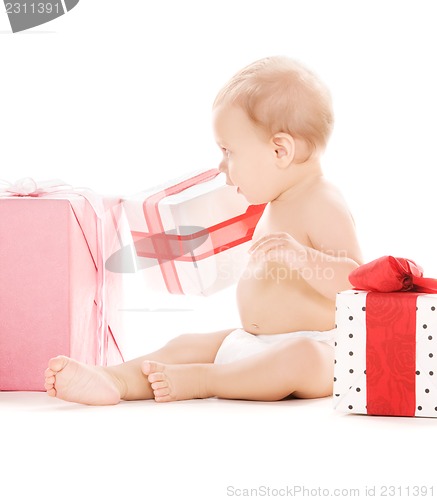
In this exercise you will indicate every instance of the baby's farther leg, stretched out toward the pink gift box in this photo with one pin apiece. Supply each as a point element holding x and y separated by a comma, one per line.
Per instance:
<point>73,381</point>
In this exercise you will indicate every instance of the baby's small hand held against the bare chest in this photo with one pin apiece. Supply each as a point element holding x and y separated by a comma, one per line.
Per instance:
<point>280,247</point>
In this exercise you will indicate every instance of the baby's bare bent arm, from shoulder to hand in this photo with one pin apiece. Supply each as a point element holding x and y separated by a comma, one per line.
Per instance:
<point>333,252</point>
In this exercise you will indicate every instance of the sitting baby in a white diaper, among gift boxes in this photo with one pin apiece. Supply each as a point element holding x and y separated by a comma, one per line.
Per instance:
<point>272,122</point>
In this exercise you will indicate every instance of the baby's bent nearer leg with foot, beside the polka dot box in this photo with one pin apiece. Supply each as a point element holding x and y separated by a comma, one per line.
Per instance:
<point>301,367</point>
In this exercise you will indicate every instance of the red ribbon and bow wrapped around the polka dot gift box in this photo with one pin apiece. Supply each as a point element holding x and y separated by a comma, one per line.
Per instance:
<point>391,332</point>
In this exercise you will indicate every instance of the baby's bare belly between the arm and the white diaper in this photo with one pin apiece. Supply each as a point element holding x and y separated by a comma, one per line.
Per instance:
<point>272,299</point>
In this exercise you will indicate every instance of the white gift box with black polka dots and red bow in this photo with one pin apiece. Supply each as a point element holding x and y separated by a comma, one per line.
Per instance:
<point>386,346</point>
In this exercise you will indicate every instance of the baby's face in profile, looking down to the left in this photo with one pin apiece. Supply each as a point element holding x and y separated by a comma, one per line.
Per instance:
<point>248,155</point>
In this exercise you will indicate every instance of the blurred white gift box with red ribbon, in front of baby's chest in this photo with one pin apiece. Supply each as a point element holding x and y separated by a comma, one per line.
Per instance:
<point>190,236</point>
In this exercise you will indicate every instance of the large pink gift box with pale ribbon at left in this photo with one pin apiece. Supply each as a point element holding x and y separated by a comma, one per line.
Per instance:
<point>55,295</point>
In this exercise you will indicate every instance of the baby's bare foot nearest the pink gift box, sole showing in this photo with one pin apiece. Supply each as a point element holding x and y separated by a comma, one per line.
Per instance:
<point>70,380</point>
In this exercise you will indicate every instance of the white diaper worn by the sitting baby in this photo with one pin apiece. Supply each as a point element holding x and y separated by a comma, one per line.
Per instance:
<point>239,344</point>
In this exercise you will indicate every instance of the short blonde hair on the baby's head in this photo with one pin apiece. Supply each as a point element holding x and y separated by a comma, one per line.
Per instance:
<point>280,95</point>
